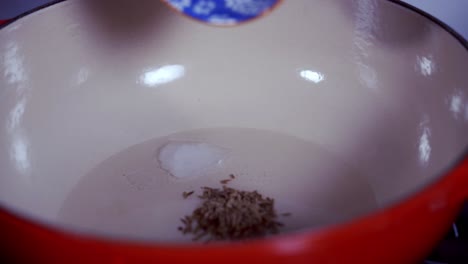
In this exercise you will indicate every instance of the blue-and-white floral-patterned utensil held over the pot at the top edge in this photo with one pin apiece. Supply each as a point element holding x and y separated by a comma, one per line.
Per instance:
<point>222,12</point>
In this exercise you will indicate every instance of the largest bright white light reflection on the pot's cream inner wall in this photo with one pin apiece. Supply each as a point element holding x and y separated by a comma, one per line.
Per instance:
<point>162,75</point>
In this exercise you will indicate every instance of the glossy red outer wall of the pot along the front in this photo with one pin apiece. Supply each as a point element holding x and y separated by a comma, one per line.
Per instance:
<point>404,233</point>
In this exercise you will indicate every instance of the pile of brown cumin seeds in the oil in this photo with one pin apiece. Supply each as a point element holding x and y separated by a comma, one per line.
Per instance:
<point>231,214</point>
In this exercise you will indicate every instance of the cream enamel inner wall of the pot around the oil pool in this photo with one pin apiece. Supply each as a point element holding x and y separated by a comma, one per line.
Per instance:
<point>379,86</point>
